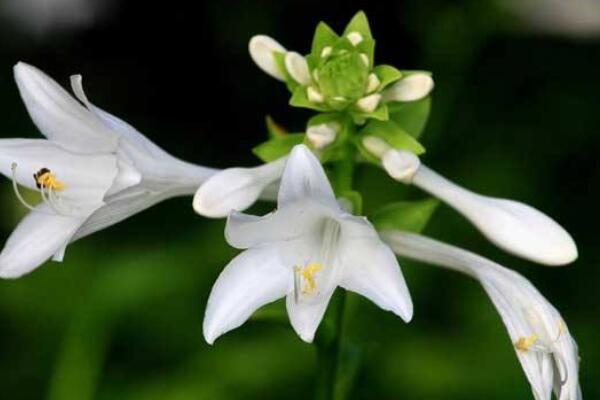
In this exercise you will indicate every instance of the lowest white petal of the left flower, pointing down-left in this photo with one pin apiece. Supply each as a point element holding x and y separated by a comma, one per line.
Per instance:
<point>38,236</point>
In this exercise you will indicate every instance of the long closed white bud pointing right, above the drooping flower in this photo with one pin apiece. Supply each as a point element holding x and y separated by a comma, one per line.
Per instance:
<point>513,226</point>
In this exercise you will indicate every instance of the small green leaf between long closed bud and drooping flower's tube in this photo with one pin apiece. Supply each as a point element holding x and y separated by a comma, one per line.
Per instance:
<point>411,216</point>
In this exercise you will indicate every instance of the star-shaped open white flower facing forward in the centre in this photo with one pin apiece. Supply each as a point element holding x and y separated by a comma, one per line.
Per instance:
<point>303,251</point>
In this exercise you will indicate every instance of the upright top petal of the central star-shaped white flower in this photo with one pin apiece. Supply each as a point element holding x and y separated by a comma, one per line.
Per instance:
<point>304,178</point>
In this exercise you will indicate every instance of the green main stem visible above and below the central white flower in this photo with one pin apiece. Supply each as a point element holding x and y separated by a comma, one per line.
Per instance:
<point>329,342</point>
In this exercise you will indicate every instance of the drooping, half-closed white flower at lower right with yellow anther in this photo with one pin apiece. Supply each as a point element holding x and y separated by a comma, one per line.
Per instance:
<point>544,346</point>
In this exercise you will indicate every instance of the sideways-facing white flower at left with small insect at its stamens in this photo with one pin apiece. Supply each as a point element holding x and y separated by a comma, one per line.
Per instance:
<point>92,171</point>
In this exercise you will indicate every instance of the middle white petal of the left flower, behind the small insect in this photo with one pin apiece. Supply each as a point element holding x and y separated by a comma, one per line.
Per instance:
<point>87,177</point>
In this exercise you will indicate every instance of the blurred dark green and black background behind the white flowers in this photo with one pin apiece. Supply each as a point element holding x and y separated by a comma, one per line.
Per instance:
<point>515,114</point>
